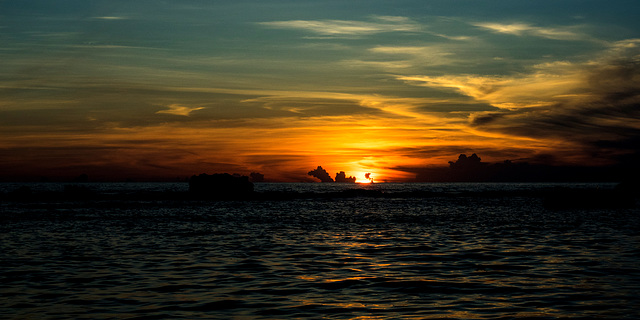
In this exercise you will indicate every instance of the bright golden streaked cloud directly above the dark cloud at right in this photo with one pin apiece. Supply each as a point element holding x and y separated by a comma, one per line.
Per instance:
<point>547,83</point>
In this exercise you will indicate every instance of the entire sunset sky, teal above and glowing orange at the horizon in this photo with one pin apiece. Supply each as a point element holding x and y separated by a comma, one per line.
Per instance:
<point>160,89</point>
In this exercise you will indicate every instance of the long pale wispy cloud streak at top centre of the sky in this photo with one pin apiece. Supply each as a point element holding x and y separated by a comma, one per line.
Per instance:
<point>378,24</point>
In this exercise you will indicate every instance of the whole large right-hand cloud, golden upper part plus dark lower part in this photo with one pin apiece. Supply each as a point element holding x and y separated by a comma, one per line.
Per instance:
<point>594,102</point>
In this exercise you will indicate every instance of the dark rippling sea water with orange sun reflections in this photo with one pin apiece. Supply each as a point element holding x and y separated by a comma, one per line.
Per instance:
<point>444,256</point>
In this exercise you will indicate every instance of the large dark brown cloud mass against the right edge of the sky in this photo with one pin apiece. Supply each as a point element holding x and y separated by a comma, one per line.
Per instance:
<point>605,123</point>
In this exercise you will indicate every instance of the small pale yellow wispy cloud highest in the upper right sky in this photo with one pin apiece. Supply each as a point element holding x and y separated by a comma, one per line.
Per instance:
<point>524,29</point>
